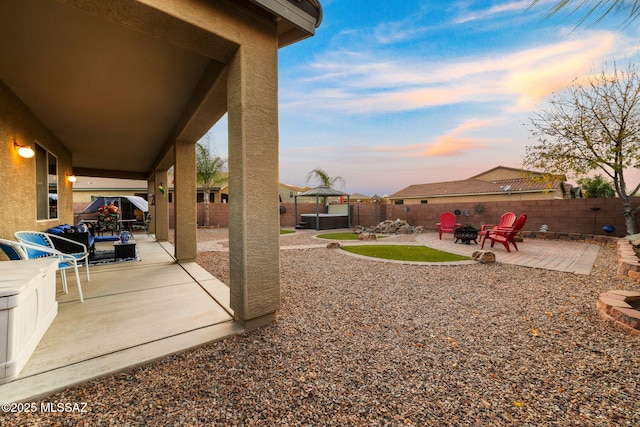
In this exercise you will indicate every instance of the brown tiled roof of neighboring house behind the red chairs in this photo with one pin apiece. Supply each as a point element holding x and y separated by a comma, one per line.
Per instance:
<point>475,186</point>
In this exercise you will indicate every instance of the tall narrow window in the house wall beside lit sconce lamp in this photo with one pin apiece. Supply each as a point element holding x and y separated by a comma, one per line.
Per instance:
<point>46,184</point>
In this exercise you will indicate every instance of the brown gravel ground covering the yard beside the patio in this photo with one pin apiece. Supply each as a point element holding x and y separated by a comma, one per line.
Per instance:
<point>369,343</point>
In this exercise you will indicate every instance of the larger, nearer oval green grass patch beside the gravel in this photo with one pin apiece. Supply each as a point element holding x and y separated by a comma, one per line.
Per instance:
<point>405,253</point>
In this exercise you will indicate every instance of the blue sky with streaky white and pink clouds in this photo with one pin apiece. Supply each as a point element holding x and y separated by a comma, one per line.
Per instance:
<point>393,93</point>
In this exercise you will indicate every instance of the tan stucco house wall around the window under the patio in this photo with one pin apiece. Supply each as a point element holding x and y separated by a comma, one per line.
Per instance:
<point>18,192</point>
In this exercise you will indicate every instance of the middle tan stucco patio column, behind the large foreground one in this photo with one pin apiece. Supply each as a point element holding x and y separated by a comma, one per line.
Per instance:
<point>184,199</point>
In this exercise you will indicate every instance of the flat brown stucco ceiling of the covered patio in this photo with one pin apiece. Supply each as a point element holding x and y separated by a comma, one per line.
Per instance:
<point>112,95</point>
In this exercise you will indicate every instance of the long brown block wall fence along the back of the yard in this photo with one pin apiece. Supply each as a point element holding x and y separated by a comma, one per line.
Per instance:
<point>561,216</point>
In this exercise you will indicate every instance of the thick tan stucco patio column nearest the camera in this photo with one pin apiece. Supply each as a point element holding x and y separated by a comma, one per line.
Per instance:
<point>254,229</point>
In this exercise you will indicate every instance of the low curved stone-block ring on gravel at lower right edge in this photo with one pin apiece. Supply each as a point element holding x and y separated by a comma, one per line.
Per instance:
<point>622,308</point>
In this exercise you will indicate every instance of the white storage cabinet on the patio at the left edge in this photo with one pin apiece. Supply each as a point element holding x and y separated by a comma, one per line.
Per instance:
<point>27,308</point>
